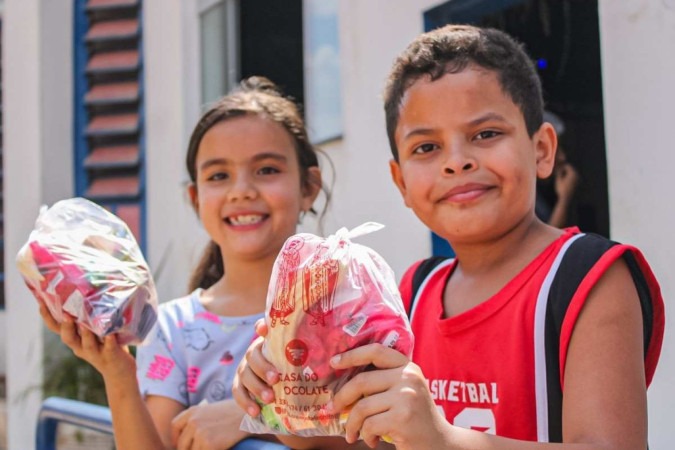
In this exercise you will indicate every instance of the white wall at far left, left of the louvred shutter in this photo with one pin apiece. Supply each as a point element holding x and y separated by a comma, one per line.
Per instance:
<point>37,66</point>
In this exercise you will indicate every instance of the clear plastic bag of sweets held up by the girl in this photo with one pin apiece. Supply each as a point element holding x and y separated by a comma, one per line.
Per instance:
<point>83,261</point>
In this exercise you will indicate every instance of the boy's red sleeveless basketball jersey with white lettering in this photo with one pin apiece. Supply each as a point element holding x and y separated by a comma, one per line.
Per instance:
<point>486,368</point>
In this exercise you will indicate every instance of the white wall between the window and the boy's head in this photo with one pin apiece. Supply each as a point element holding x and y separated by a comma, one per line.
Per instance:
<point>372,33</point>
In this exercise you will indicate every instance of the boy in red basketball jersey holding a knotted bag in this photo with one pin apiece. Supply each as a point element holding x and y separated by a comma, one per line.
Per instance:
<point>464,120</point>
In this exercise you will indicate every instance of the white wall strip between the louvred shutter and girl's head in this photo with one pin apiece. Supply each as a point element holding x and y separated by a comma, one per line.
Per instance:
<point>175,238</point>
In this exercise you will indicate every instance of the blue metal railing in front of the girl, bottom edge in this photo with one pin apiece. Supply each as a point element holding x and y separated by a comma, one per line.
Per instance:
<point>98,418</point>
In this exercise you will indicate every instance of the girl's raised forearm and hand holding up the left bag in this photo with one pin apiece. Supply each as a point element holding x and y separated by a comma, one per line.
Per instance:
<point>135,426</point>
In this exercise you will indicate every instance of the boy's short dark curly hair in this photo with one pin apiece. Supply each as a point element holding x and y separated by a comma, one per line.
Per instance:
<point>451,49</point>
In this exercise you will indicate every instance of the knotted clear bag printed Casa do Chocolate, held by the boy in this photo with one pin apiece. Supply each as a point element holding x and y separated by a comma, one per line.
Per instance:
<point>326,296</point>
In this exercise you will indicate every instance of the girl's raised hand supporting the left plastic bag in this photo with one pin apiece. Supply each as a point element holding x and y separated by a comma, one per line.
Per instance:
<point>112,360</point>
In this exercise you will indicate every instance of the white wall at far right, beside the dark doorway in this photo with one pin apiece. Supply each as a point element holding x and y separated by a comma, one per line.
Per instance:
<point>638,44</point>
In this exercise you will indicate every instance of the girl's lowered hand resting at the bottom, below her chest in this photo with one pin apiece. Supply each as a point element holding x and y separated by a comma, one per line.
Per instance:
<point>212,426</point>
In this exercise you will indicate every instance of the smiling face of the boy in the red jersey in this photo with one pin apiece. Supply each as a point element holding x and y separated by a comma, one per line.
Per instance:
<point>467,166</point>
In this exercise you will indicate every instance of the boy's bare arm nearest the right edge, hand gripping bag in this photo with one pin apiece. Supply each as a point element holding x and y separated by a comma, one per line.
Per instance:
<point>604,400</point>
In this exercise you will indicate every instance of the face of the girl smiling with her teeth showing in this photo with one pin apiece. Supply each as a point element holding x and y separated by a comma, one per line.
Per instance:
<point>248,192</point>
